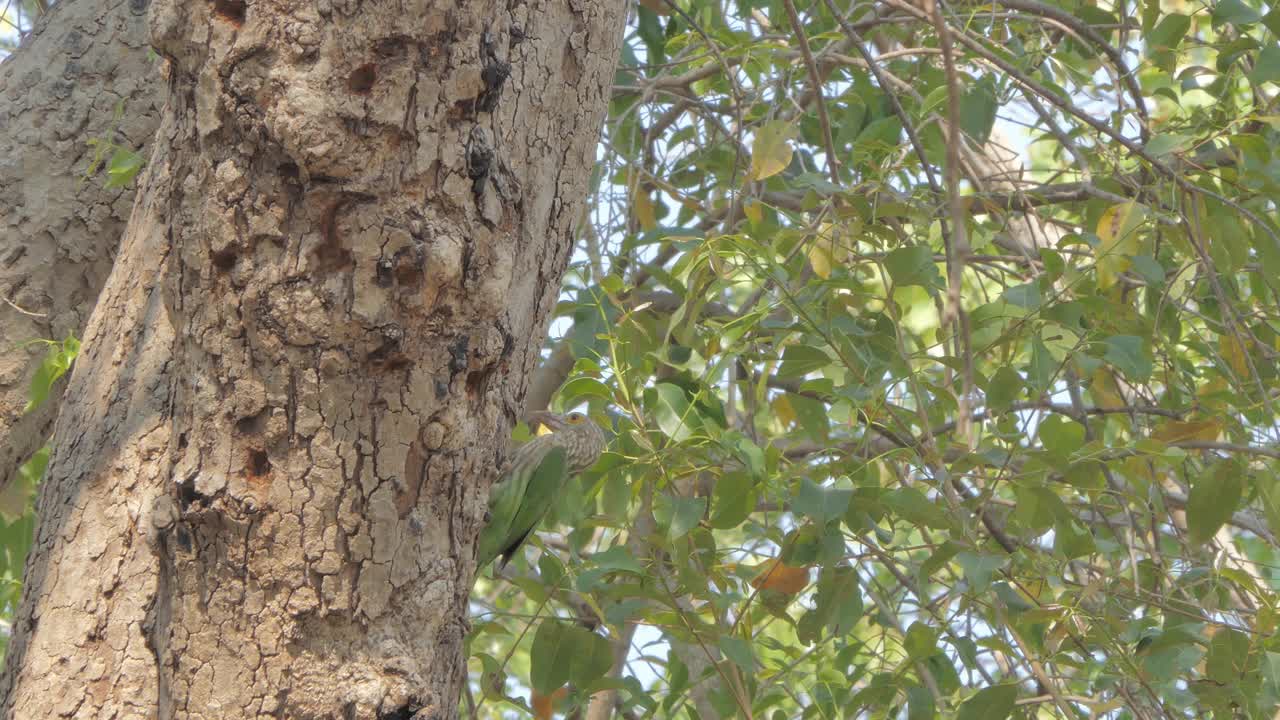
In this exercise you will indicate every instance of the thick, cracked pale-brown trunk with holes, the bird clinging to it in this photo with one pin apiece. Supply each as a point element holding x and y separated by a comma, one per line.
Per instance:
<point>300,379</point>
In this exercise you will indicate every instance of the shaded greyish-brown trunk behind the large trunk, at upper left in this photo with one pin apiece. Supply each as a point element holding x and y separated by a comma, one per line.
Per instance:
<point>58,230</point>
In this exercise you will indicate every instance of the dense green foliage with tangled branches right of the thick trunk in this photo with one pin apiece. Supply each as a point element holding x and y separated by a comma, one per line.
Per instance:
<point>939,347</point>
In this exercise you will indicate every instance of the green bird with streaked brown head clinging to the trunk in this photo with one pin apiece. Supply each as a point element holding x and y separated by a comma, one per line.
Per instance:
<point>534,477</point>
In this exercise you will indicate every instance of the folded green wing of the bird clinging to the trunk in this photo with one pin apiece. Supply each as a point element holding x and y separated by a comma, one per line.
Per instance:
<point>509,498</point>
